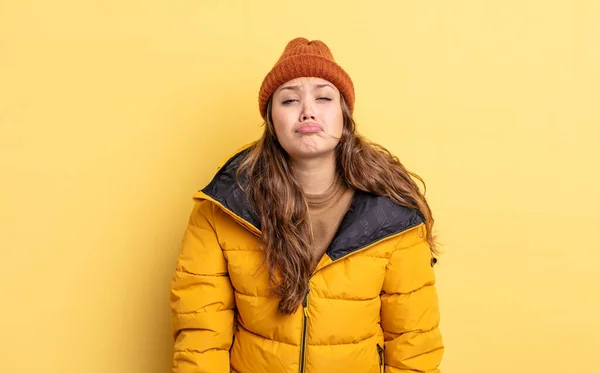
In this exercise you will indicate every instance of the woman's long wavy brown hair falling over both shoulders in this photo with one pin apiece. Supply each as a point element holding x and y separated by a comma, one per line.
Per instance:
<point>279,203</point>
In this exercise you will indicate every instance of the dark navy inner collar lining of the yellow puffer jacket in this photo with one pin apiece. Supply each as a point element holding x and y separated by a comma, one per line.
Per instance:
<point>369,219</point>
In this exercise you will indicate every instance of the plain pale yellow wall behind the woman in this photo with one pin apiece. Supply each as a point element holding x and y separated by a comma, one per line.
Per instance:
<point>113,113</point>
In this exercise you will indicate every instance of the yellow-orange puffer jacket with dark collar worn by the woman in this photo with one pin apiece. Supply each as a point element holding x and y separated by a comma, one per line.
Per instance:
<point>371,306</point>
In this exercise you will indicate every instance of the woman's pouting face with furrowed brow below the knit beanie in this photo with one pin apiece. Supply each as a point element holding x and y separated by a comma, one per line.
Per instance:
<point>307,116</point>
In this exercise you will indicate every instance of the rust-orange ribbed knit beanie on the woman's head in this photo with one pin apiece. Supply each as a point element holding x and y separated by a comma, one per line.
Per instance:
<point>303,58</point>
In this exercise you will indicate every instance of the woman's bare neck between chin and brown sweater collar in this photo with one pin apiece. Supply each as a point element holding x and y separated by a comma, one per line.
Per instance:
<point>315,175</point>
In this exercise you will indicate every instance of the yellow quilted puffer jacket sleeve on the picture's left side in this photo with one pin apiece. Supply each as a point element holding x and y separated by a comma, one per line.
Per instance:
<point>202,299</point>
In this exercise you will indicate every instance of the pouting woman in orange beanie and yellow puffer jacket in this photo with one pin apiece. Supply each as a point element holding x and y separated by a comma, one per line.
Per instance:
<point>311,249</point>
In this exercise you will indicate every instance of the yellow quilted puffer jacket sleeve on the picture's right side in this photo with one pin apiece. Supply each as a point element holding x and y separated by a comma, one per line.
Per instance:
<point>409,308</point>
